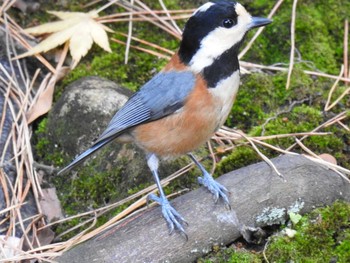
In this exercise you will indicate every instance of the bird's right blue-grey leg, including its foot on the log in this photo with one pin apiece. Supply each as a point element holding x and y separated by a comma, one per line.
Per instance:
<point>208,181</point>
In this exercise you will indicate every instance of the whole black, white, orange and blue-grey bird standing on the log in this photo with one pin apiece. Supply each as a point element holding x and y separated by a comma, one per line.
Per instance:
<point>181,107</point>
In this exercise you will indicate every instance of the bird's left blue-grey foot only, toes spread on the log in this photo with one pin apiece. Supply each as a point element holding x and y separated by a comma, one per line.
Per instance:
<point>174,220</point>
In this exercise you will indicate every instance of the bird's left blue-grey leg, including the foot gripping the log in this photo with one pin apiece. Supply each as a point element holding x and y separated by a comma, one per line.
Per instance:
<point>172,217</point>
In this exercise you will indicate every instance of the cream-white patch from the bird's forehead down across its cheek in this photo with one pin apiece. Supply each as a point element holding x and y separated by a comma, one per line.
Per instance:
<point>220,40</point>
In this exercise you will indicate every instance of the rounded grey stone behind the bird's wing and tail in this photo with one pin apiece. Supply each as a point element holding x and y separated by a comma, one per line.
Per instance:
<point>82,113</point>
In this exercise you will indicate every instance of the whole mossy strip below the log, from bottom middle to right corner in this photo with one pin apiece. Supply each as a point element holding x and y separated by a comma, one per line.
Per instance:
<point>321,236</point>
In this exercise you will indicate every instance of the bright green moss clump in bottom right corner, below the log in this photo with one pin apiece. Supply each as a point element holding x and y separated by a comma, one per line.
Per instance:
<point>322,236</point>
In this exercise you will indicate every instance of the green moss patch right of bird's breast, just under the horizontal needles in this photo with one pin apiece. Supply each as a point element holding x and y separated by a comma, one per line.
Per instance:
<point>260,94</point>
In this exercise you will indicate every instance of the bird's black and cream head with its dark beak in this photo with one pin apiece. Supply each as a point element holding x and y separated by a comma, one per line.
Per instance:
<point>213,29</point>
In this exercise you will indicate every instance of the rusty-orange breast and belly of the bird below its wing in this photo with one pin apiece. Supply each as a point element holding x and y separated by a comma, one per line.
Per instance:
<point>184,130</point>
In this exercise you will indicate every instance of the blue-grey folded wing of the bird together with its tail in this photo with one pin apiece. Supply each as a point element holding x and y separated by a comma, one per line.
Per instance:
<point>162,95</point>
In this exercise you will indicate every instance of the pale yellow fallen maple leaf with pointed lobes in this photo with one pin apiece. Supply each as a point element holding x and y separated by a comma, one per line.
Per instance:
<point>80,29</point>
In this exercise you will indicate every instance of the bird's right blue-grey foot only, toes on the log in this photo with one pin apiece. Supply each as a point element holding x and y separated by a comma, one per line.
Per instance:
<point>218,190</point>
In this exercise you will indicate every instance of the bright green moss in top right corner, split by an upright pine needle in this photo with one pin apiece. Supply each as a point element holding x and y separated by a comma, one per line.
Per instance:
<point>319,34</point>
